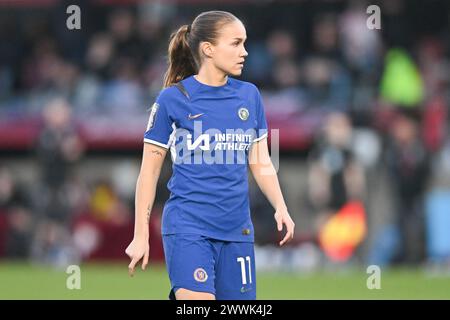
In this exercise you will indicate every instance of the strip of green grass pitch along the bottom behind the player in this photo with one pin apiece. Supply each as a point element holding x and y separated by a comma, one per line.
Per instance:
<point>111,281</point>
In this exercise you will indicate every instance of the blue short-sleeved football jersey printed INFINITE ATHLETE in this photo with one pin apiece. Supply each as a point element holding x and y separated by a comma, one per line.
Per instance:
<point>209,131</point>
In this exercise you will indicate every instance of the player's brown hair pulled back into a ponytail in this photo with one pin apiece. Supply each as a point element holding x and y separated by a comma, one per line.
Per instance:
<point>183,54</point>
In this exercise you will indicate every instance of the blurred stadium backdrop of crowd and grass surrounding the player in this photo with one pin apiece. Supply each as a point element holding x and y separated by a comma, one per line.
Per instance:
<point>363,138</point>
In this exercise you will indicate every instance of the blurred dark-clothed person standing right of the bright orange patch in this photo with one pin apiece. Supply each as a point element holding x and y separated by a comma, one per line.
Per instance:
<point>408,165</point>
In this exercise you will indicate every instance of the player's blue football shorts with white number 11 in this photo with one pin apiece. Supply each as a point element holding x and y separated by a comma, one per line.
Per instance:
<point>198,263</point>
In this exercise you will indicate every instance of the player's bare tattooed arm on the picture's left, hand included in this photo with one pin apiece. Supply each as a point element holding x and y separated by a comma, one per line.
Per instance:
<point>152,161</point>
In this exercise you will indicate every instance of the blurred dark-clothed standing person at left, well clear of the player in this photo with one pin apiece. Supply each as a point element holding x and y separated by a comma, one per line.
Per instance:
<point>58,148</point>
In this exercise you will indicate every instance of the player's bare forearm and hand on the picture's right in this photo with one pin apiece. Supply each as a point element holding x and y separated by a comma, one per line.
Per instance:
<point>266,177</point>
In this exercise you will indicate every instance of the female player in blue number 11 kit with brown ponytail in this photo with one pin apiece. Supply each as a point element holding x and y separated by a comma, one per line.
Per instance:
<point>215,128</point>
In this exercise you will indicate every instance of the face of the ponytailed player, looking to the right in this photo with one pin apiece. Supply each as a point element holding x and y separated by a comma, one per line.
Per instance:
<point>229,51</point>
